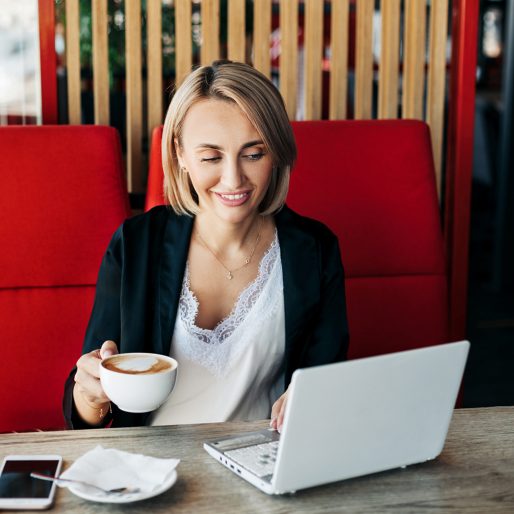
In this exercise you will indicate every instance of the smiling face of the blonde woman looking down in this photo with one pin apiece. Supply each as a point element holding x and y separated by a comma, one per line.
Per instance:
<point>226,159</point>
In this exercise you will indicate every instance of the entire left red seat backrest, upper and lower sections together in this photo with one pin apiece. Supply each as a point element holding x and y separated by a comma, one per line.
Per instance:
<point>62,195</point>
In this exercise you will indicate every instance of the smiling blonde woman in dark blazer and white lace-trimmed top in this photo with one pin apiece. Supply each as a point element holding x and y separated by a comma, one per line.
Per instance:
<point>229,281</point>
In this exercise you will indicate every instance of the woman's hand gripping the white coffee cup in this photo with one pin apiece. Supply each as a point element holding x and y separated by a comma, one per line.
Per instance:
<point>90,400</point>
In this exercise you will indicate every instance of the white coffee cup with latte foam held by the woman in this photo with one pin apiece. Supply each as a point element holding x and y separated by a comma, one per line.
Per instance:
<point>138,382</point>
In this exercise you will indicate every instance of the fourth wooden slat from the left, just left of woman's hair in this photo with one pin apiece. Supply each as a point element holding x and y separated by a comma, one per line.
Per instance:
<point>154,63</point>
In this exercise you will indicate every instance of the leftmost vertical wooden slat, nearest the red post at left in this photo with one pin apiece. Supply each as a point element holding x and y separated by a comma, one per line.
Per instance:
<point>73,61</point>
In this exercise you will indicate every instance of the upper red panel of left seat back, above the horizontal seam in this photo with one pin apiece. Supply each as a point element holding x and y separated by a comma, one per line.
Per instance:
<point>60,191</point>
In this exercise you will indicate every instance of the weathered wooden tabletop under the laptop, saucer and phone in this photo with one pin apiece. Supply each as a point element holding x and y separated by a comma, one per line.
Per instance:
<point>475,472</point>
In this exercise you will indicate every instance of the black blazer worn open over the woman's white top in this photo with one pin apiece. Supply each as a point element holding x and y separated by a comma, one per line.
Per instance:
<point>140,281</point>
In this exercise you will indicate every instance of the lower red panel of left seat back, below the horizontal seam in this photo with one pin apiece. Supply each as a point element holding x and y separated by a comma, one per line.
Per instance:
<point>42,331</point>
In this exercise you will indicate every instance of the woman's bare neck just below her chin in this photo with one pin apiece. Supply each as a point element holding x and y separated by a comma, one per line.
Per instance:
<point>225,237</point>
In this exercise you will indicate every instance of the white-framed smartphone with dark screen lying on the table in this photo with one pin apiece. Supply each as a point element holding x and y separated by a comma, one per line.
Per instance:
<point>18,490</point>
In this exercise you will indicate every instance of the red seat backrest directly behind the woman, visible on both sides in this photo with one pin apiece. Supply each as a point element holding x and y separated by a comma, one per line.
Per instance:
<point>373,184</point>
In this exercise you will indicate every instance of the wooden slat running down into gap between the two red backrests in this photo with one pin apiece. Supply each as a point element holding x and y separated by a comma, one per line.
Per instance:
<point>134,95</point>
